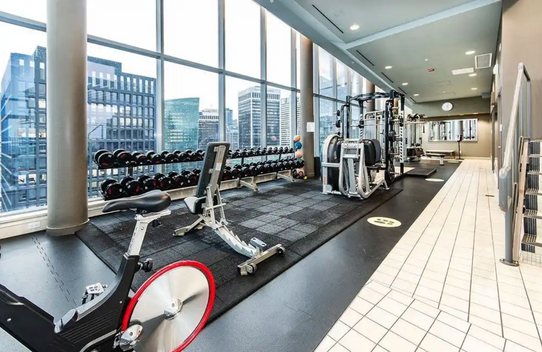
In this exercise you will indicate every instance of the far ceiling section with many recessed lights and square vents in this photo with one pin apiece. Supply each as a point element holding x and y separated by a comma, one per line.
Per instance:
<point>444,44</point>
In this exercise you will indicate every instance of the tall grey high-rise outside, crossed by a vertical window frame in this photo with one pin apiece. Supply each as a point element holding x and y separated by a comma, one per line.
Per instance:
<point>250,117</point>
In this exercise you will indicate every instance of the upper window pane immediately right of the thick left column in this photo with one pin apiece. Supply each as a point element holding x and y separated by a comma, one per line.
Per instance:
<point>125,21</point>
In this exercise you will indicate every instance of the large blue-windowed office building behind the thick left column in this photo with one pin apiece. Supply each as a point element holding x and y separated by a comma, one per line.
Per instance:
<point>120,114</point>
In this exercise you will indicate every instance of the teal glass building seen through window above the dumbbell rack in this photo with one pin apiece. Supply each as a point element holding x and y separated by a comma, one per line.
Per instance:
<point>181,124</point>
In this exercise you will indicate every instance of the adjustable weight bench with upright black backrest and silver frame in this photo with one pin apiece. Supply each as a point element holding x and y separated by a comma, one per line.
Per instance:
<point>208,198</point>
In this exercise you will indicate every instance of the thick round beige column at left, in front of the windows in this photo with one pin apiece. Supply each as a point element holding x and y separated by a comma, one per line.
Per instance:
<point>66,116</point>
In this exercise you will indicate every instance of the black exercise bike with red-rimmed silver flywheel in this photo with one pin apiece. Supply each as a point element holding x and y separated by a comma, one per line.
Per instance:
<point>165,314</point>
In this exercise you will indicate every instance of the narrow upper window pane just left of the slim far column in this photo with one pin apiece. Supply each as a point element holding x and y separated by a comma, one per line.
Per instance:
<point>279,51</point>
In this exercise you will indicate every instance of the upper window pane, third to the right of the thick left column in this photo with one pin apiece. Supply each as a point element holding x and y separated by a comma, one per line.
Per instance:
<point>243,37</point>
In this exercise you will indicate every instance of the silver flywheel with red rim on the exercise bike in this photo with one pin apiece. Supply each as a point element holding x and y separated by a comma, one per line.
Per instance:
<point>172,306</point>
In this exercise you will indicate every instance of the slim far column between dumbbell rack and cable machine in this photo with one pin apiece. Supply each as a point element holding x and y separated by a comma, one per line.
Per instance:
<point>306,101</point>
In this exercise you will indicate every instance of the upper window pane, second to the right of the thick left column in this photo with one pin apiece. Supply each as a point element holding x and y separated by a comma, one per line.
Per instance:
<point>185,36</point>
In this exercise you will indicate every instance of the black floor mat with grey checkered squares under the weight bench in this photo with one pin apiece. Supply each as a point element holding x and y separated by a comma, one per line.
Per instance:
<point>296,215</point>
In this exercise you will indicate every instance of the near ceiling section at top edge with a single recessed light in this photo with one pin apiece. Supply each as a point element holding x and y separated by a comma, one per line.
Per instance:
<point>372,16</point>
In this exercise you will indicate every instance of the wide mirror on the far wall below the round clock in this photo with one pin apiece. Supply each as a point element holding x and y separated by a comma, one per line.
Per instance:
<point>450,130</point>
